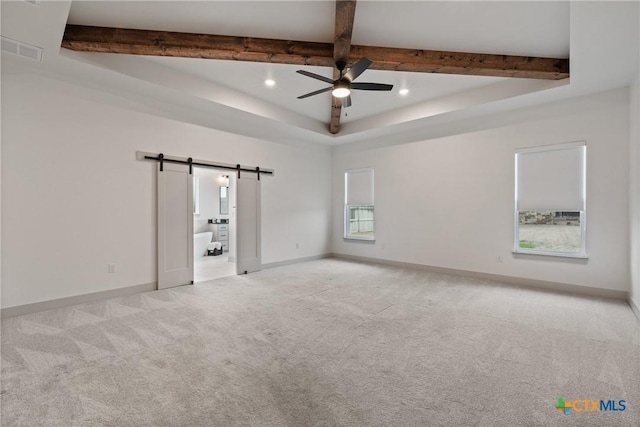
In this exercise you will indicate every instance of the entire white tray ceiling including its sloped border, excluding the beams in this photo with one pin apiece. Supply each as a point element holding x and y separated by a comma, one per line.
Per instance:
<point>231,95</point>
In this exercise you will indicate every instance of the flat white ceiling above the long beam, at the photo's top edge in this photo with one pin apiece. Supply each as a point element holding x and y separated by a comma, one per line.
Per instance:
<point>512,28</point>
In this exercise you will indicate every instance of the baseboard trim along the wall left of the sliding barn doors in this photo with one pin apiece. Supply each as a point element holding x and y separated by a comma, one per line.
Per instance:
<point>20,310</point>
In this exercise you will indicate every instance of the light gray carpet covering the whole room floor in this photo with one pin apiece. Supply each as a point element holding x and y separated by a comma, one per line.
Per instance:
<point>324,343</point>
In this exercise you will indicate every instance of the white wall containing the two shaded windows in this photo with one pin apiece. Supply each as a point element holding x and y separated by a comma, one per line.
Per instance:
<point>448,202</point>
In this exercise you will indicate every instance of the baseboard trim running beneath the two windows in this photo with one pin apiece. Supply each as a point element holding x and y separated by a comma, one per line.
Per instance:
<point>512,280</point>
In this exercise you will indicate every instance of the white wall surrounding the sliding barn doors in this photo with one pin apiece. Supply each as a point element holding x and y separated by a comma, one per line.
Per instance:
<point>74,198</point>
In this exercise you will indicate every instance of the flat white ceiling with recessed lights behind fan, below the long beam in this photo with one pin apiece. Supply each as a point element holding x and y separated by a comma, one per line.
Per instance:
<point>248,77</point>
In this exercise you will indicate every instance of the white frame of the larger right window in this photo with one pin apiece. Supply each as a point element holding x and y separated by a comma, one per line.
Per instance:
<point>582,253</point>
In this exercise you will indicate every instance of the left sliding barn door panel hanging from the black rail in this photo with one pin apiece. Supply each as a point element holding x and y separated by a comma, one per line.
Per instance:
<point>175,225</point>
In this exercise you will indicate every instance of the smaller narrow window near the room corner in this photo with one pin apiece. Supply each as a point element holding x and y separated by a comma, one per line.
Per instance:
<point>358,212</point>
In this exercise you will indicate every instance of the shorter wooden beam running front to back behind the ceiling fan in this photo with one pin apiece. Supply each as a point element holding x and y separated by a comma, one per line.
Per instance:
<point>345,15</point>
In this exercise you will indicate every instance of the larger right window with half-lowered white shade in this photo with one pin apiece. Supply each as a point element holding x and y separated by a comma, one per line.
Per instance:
<point>550,200</point>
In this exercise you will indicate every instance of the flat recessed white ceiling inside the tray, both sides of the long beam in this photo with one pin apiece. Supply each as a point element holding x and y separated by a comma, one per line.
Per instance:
<point>392,24</point>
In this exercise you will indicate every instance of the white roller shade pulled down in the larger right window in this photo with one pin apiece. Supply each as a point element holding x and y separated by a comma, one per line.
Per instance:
<point>551,178</point>
